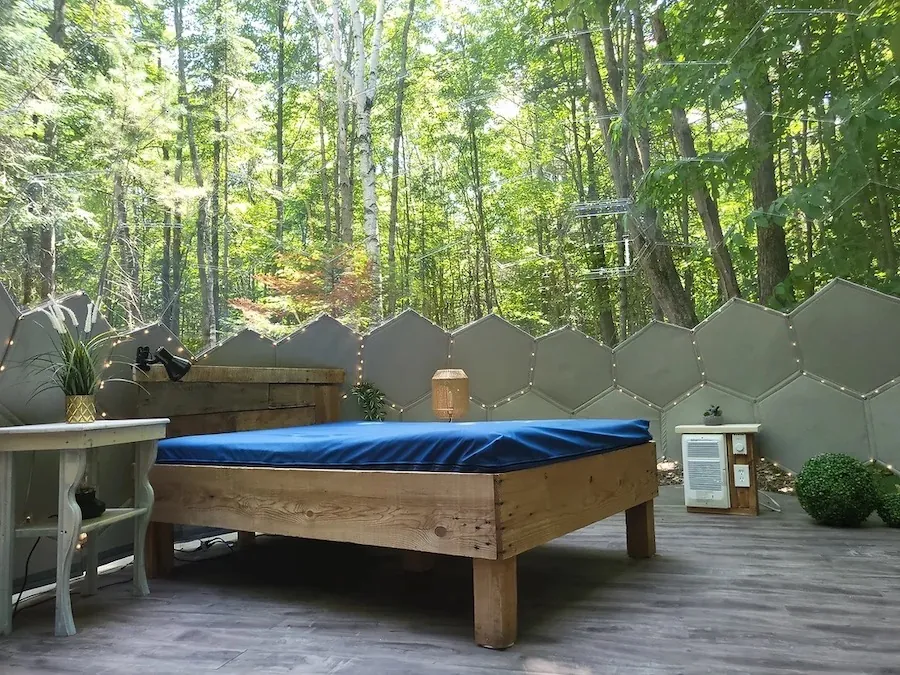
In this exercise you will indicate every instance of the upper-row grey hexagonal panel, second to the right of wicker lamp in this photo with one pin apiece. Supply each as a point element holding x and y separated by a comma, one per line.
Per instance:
<point>571,368</point>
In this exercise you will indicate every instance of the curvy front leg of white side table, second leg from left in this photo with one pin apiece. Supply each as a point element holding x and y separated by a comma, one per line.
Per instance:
<point>71,468</point>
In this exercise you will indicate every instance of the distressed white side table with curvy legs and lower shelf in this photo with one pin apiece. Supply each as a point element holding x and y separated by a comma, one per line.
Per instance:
<point>73,441</point>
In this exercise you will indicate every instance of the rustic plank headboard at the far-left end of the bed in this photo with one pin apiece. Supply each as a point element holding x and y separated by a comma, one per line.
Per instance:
<point>216,399</point>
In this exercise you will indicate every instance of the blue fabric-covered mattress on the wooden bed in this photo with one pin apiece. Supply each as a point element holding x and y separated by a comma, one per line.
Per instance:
<point>486,447</point>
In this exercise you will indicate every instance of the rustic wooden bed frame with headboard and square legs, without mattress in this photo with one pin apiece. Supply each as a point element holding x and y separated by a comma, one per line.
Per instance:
<point>490,518</point>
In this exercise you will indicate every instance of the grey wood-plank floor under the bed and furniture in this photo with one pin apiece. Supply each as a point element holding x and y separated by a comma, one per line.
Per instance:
<point>775,594</point>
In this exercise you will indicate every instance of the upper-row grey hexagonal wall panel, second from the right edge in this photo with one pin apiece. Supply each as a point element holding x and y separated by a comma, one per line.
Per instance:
<point>746,348</point>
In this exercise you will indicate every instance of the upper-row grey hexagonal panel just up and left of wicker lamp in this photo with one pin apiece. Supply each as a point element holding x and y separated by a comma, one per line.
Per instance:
<point>402,355</point>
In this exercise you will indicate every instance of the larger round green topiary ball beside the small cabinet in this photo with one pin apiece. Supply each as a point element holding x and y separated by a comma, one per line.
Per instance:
<point>836,489</point>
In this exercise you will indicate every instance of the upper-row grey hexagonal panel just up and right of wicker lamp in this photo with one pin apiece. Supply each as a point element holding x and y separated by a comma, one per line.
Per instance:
<point>495,355</point>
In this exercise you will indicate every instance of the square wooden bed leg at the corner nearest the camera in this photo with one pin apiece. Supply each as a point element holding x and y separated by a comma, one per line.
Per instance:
<point>496,602</point>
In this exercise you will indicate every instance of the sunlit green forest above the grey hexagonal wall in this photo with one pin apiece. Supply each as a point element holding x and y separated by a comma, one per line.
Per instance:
<point>215,164</point>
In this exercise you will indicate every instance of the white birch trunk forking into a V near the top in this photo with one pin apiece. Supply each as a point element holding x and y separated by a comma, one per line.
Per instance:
<point>366,81</point>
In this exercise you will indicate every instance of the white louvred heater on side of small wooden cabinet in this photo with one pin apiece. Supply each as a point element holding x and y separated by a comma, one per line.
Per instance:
<point>705,465</point>
